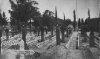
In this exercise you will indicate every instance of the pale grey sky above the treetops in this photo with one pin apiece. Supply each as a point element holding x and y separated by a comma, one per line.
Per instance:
<point>63,6</point>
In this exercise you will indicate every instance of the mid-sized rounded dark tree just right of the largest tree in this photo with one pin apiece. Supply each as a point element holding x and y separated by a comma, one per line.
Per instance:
<point>48,19</point>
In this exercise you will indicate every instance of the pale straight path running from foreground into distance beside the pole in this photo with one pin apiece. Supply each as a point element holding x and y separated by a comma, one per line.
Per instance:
<point>74,53</point>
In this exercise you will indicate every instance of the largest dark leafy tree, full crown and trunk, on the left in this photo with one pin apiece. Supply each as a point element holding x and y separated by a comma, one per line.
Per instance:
<point>22,11</point>
